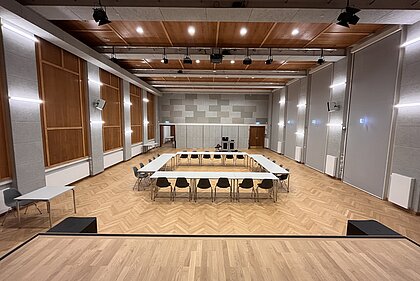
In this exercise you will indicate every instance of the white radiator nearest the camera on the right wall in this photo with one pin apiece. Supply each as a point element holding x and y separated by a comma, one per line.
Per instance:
<point>400,190</point>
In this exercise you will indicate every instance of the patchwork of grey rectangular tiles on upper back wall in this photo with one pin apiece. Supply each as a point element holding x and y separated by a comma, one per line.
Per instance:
<point>219,109</point>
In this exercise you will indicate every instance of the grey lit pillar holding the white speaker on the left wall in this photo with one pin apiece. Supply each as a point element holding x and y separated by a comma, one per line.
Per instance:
<point>96,161</point>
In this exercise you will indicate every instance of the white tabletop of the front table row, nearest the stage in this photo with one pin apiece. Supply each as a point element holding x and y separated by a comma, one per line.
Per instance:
<point>212,175</point>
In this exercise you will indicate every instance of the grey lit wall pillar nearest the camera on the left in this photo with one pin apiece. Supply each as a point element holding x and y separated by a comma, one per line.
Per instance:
<point>25,117</point>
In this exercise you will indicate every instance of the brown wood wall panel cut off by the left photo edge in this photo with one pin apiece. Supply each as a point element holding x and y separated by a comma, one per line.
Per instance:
<point>4,148</point>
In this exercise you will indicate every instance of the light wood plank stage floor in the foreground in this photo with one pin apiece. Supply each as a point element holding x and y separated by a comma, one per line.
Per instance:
<point>133,258</point>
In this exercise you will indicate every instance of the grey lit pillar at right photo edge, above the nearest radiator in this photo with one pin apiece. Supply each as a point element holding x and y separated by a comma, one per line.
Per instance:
<point>407,136</point>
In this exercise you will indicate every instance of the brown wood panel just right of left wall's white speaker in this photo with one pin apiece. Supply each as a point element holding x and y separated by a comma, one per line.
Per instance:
<point>112,113</point>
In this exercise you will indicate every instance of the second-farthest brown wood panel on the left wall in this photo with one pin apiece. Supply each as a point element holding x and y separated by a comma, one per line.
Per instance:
<point>136,112</point>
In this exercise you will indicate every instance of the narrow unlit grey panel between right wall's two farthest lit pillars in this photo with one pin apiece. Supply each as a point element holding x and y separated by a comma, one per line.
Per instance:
<point>293,92</point>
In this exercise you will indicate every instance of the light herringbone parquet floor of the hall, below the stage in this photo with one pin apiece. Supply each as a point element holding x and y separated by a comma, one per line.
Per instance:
<point>316,205</point>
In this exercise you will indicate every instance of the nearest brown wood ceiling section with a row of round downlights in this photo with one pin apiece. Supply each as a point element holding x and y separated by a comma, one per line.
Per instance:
<point>207,34</point>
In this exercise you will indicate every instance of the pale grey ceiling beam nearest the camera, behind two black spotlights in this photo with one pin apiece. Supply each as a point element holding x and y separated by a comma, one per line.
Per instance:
<point>227,14</point>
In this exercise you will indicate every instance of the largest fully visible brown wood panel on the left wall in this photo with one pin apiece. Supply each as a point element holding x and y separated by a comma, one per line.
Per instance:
<point>61,87</point>
